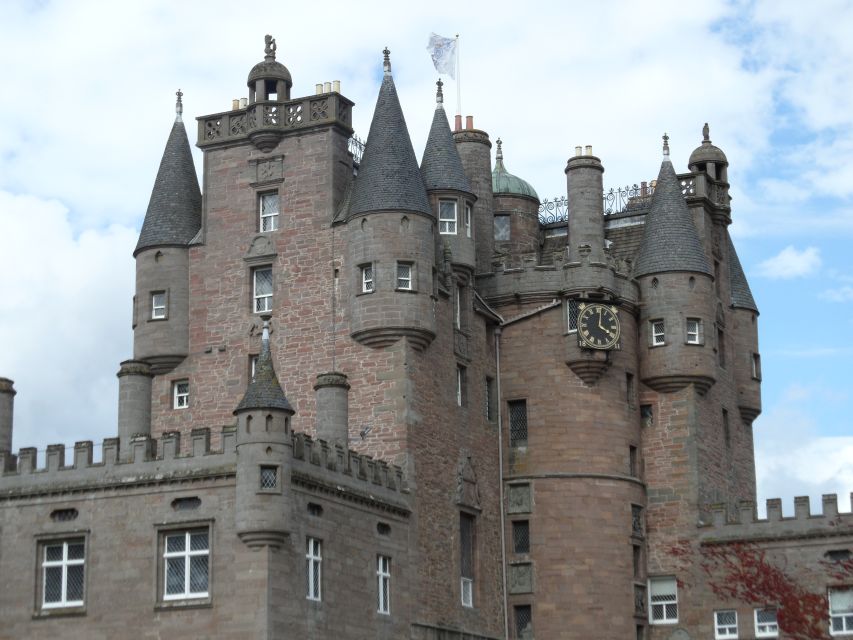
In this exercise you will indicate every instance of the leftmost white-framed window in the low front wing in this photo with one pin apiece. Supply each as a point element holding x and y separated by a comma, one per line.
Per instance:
<point>63,573</point>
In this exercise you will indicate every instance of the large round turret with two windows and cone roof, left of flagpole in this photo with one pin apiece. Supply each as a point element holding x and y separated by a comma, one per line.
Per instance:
<point>391,248</point>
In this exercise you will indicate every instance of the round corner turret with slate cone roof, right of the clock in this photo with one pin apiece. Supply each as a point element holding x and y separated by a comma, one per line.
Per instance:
<point>677,287</point>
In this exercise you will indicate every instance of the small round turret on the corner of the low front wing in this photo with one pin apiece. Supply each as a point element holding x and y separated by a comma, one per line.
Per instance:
<point>263,453</point>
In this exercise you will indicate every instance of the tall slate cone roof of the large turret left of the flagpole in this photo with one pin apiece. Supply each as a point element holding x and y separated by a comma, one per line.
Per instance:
<point>388,177</point>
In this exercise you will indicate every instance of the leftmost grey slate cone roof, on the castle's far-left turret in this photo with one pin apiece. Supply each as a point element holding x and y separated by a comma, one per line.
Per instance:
<point>174,211</point>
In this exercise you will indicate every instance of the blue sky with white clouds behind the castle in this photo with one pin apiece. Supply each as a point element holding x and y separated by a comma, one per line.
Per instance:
<point>89,91</point>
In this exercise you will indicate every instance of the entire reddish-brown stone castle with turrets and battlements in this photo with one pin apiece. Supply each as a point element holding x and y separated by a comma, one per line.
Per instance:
<point>376,398</point>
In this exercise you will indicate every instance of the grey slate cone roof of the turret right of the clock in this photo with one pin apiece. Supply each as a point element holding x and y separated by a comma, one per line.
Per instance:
<point>670,240</point>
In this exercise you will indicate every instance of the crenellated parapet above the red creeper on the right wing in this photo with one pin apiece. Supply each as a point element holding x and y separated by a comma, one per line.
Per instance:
<point>742,523</point>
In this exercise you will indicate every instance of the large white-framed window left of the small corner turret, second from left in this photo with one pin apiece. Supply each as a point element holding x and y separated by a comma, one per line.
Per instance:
<point>186,556</point>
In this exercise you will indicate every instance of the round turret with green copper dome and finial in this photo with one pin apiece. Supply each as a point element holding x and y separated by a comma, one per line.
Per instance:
<point>516,222</point>
